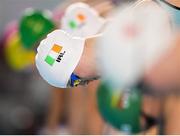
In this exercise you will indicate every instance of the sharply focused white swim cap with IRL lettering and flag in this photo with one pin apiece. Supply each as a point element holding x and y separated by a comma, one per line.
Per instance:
<point>57,57</point>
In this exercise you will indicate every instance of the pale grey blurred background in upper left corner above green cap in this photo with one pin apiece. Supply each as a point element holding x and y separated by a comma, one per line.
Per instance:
<point>13,9</point>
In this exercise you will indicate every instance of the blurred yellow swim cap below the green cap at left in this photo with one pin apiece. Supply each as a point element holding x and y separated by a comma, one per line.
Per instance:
<point>17,57</point>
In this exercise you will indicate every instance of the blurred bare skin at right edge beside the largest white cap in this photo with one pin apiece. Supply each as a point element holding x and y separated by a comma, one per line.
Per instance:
<point>165,75</point>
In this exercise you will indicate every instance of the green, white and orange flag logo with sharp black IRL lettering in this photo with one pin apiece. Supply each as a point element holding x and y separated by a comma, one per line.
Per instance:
<point>54,55</point>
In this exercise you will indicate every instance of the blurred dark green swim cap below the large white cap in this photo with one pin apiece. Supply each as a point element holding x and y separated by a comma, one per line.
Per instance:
<point>120,109</point>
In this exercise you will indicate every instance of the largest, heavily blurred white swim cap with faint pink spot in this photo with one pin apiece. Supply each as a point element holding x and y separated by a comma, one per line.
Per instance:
<point>132,43</point>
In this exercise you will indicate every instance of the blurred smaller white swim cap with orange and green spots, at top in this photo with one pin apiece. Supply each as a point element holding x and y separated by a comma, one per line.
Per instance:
<point>81,20</point>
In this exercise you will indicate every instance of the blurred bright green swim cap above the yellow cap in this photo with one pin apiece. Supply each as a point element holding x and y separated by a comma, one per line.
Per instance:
<point>34,25</point>
